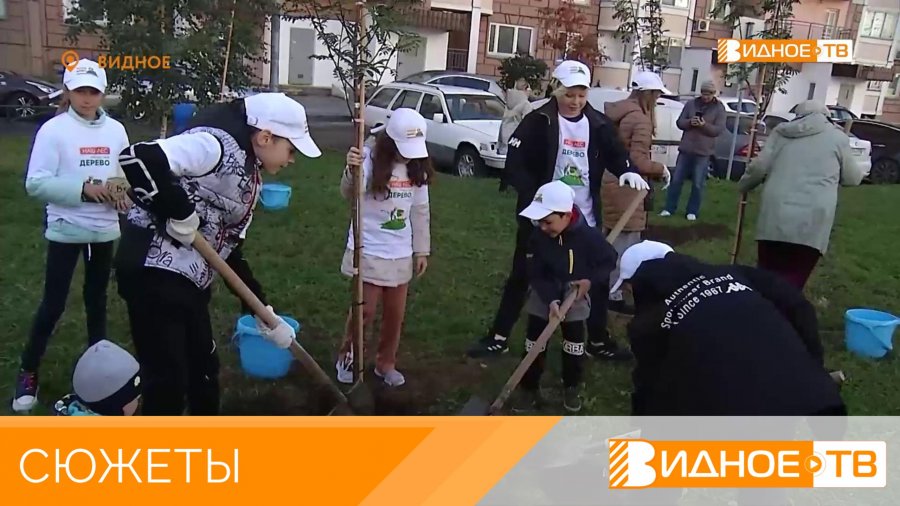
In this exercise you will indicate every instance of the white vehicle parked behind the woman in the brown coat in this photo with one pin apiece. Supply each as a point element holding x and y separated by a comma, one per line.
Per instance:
<point>668,135</point>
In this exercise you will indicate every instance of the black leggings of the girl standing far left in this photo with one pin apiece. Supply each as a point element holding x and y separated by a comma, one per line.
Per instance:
<point>61,261</point>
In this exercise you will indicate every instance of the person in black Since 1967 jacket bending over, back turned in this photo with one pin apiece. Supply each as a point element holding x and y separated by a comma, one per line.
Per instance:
<point>722,341</point>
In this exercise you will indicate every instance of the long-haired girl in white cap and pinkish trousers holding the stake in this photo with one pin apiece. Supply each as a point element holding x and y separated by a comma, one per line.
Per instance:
<point>396,233</point>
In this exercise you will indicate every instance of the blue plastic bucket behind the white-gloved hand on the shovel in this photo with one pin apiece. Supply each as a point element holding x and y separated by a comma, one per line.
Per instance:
<point>259,357</point>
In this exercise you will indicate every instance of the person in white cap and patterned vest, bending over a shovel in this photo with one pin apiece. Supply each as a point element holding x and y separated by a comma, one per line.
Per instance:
<point>206,179</point>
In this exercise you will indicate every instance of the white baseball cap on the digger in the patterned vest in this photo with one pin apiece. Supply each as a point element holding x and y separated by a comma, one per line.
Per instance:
<point>284,117</point>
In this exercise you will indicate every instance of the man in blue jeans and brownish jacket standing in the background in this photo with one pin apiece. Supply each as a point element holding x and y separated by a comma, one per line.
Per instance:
<point>702,120</point>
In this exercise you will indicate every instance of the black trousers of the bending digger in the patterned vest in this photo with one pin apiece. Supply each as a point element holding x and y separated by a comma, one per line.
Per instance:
<point>172,333</point>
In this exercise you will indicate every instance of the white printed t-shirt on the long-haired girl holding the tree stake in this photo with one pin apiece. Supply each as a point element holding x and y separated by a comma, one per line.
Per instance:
<point>387,232</point>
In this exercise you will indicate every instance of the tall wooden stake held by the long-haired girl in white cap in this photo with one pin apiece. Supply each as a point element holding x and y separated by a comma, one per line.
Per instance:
<point>359,117</point>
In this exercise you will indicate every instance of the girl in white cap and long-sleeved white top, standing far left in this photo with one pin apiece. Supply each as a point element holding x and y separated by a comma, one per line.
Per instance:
<point>73,156</point>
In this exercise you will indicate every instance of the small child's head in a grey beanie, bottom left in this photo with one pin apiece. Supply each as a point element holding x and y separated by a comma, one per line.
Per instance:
<point>106,378</point>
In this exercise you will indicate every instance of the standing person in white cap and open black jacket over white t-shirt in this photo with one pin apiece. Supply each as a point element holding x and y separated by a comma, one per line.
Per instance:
<point>567,140</point>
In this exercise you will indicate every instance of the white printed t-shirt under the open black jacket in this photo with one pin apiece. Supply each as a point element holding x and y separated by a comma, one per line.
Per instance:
<point>572,165</point>
